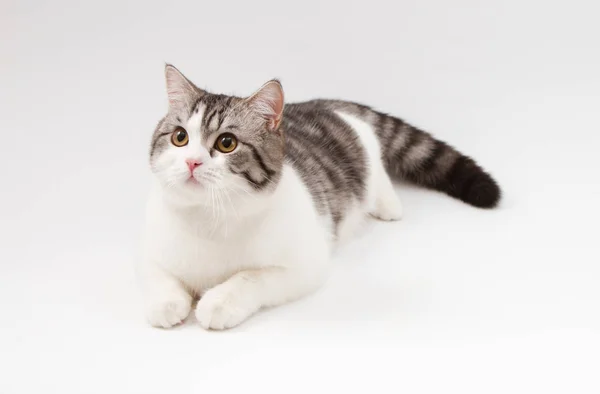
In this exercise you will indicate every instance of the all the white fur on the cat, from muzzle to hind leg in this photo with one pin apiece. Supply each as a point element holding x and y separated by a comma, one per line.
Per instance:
<point>241,252</point>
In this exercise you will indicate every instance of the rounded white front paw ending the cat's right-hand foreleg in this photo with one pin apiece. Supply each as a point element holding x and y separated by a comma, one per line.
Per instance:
<point>224,307</point>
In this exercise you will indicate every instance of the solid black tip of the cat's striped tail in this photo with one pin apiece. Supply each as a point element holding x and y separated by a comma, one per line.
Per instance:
<point>470,183</point>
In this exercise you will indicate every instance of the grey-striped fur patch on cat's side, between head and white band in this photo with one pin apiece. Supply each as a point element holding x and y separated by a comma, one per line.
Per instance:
<point>327,152</point>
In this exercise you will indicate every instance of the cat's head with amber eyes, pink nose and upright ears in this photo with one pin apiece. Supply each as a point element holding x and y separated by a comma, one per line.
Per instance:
<point>211,147</point>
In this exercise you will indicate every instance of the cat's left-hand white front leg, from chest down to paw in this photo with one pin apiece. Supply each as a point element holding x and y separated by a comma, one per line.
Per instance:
<point>167,302</point>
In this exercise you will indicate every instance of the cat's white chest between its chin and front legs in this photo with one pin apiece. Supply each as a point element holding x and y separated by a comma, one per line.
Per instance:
<point>186,246</point>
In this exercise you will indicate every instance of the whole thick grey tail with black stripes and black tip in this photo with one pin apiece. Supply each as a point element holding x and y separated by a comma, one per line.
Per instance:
<point>413,154</point>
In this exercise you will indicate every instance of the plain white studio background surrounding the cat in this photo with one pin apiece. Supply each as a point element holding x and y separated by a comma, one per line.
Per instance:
<point>451,299</point>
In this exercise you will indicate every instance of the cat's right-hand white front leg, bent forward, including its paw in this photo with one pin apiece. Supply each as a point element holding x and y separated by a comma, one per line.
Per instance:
<point>242,295</point>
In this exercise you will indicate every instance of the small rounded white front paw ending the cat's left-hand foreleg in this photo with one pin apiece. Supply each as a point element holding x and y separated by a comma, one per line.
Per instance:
<point>169,310</point>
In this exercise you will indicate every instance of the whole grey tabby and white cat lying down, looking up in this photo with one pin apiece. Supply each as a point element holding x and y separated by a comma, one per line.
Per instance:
<point>250,196</point>
